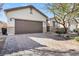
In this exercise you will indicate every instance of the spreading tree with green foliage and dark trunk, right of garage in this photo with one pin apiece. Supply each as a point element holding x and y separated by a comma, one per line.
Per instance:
<point>64,13</point>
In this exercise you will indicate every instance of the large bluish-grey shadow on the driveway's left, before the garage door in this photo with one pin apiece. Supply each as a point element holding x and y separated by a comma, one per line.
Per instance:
<point>17,43</point>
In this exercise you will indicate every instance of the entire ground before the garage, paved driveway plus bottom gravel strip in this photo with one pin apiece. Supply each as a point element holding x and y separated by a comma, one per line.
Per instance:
<point>40,44</point>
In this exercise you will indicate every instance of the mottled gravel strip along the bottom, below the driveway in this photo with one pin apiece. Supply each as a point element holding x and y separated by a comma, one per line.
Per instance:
<point>38,52</point>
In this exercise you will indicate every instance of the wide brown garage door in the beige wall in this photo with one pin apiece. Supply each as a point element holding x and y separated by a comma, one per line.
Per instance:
<point>25,26</point>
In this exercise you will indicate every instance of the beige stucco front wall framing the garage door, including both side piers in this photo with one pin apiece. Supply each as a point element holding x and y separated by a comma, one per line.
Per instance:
<point>24,14</point>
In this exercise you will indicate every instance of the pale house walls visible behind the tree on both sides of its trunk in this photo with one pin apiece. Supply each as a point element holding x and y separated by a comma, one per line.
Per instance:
<point>53,25</point>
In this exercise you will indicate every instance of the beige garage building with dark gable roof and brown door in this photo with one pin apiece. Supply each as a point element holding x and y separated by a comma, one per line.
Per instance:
<point>27,19</point>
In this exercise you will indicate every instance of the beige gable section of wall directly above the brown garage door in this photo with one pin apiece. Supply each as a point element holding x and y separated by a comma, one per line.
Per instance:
<point>25,14</point>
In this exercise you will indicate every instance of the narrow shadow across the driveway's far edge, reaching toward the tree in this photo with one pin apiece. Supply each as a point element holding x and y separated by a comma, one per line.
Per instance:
<point>49,36</point>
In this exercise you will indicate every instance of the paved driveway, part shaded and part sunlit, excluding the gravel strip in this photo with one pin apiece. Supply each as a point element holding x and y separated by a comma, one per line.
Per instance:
<point>48,41</point>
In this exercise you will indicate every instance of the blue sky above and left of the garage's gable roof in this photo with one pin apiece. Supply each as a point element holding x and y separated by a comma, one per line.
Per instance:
<point>39,6</point>
